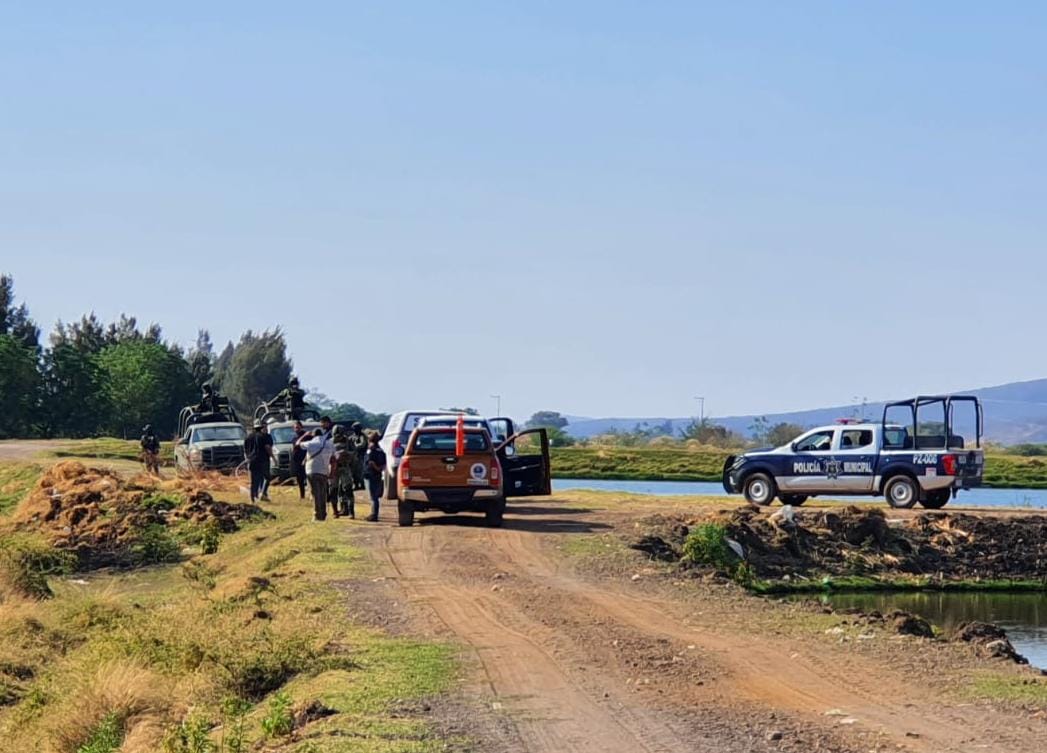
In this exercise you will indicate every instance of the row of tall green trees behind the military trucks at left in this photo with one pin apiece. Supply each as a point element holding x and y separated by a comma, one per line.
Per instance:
<point>98,380</point>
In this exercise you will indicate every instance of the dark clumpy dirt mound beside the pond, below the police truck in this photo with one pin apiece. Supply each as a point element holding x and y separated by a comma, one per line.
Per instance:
<point>854,541</point>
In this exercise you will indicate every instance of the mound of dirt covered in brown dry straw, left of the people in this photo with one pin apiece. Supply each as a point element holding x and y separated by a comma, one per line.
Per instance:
<point>106,521</point>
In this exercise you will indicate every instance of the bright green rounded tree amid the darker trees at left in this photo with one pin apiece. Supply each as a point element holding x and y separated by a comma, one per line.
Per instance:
<point>145,383</point>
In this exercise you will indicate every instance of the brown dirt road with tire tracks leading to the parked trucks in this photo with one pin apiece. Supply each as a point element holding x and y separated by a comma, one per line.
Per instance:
<point>590,661</point>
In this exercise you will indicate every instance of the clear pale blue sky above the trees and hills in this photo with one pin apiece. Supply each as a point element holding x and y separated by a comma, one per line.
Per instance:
<point>593,208</point>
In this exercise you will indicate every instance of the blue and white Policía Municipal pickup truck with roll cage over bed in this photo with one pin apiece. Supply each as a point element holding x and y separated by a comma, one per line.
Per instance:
<point>914,455</point>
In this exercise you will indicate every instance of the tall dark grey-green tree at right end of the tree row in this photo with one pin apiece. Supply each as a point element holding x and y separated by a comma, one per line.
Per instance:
<point>255,370</point>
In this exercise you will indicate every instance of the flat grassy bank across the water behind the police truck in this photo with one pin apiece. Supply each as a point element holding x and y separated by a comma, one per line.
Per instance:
<point>659,464</point>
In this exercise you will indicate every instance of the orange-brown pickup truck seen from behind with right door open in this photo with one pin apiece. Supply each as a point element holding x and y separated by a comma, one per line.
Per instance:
<point>434,476</point>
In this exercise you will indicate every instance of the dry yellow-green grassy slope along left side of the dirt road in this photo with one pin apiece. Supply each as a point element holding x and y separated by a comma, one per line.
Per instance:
<point>211,654</point>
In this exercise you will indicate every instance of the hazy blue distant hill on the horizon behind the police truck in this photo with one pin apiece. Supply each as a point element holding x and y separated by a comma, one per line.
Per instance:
<point>1015,414</point>
